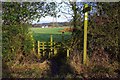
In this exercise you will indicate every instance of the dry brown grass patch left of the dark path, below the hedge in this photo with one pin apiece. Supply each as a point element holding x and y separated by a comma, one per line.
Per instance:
<point>35,70</point>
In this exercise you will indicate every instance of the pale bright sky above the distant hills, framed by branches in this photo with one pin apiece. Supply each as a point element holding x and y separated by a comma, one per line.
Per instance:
<point>63,17</point>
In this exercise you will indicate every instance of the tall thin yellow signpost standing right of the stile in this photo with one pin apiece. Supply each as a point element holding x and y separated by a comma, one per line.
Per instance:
<point>85,35</point>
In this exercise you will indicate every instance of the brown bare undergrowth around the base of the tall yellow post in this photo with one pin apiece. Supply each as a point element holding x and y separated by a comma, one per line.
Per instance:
<point>98,65</point>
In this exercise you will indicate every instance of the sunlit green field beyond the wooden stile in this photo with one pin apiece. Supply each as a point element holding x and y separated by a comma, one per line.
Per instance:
<point>43,34</point>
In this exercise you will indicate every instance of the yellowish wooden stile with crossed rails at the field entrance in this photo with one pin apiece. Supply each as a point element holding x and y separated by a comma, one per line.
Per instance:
<point>52,47</point>
